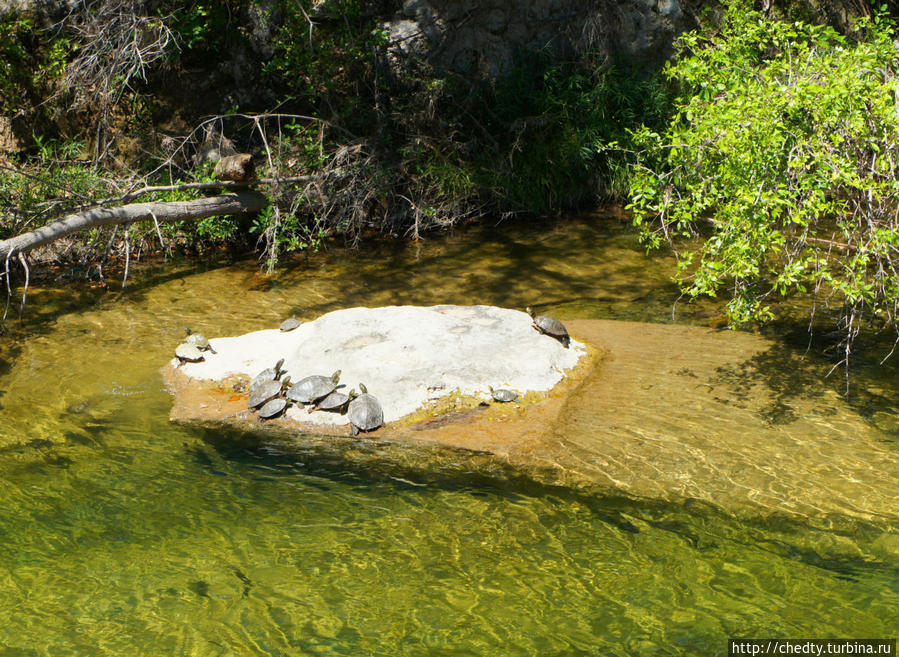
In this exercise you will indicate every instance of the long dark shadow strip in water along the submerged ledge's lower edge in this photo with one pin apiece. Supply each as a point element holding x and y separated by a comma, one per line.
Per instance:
<point>698,525</point>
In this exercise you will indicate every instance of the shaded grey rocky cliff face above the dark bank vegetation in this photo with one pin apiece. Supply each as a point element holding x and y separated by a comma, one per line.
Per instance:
<point>485,38</point>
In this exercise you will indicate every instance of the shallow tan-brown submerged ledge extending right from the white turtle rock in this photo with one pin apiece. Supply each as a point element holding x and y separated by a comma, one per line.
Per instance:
<point>654,411</point>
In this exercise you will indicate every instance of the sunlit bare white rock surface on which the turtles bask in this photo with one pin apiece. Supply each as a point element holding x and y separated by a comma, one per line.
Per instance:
<point>405,355</point>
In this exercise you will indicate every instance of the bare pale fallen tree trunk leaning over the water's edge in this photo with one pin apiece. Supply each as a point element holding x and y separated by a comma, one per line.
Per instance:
<point>233,203</point>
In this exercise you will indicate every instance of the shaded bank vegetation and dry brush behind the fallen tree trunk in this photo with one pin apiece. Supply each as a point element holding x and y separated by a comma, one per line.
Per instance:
<point>409,148</point>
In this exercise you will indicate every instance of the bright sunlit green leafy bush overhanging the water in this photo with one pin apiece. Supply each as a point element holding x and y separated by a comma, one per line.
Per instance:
<point>783,156</point>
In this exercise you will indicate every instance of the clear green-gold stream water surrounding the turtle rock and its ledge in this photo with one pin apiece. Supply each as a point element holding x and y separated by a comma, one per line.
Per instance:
<point>122,534</point>
